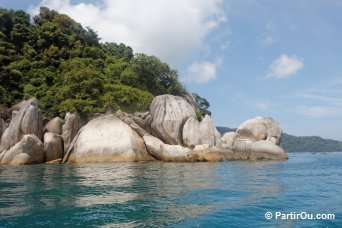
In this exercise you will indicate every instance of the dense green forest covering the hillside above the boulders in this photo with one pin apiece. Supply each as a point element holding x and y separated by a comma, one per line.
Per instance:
<point>65,66</point>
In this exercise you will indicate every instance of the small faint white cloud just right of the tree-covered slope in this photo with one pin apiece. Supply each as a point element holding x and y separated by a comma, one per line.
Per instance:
<point>202,72</point>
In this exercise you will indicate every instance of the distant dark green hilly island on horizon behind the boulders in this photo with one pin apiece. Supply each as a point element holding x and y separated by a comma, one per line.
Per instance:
<point>292,143</point>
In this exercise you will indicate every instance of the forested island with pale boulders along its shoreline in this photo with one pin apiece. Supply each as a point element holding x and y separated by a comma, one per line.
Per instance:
<point>67,97</point>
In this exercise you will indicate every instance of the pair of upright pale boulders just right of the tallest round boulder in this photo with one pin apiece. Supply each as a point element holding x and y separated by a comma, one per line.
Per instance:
<point>197,133</point>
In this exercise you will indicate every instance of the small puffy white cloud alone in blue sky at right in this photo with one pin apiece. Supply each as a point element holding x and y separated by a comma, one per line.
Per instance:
<point>285,66</point>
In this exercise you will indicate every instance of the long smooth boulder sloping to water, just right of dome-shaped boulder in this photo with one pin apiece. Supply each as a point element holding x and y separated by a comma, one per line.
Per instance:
<point>166,152</point>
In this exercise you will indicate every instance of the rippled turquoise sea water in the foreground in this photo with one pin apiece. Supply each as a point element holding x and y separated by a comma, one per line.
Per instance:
<point>155,194</point>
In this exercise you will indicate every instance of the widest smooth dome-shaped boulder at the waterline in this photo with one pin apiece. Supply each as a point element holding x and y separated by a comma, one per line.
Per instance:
<point>106,139</point>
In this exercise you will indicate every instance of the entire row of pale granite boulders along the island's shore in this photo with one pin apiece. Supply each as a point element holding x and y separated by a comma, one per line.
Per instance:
<point>169,132</point>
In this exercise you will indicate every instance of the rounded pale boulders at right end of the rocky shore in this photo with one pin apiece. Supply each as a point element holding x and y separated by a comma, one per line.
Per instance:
<point>259,138</point>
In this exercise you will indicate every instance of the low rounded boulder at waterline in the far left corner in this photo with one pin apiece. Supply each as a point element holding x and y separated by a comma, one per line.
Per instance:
<point>29,150</point>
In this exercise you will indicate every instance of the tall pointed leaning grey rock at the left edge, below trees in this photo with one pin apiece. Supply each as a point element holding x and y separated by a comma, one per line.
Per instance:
<point>28,120</point>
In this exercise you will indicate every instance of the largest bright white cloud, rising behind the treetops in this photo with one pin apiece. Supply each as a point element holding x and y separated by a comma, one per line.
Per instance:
<point>171,30</point>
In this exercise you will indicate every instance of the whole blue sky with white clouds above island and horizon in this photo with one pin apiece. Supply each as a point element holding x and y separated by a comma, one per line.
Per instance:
<point>248,58</point>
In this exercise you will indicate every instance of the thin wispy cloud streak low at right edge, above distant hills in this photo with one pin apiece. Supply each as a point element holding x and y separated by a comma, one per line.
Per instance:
<point>317,111</point>
